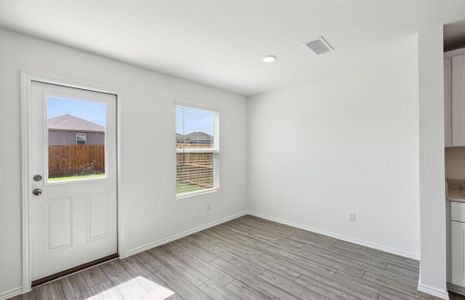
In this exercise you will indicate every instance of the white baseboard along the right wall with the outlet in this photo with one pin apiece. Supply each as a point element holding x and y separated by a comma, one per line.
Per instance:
<point>339,236</point>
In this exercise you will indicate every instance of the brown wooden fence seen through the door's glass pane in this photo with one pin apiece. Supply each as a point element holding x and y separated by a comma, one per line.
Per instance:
<point>70,160</point>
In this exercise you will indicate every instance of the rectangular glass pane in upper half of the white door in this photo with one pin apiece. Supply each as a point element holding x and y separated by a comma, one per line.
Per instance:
<point>76,139</point>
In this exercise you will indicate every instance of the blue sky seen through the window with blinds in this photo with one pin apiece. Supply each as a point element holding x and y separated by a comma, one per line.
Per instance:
<point>190,119</point>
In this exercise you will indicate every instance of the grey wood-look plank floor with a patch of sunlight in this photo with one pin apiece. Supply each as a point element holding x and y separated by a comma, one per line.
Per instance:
<point>247,258</point>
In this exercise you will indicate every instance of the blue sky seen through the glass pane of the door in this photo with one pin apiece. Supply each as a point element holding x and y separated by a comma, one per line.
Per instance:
<point>91,111</point>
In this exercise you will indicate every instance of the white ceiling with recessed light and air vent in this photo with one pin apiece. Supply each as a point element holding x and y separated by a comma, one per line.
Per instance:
<point>221,42</point>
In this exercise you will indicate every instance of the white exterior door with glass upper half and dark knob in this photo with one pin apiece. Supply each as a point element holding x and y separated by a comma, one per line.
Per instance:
<point>73,165</point>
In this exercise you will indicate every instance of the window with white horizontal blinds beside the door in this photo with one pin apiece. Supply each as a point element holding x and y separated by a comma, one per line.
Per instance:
<point>197,150</point>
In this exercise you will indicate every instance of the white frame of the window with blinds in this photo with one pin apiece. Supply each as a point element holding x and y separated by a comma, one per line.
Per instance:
<point>215,150</point>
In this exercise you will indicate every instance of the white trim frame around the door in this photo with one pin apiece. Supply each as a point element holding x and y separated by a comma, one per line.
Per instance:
<point>26,83</point>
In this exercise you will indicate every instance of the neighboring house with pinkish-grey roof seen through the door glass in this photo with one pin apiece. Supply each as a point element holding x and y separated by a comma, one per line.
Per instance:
<point>71,130</point>
